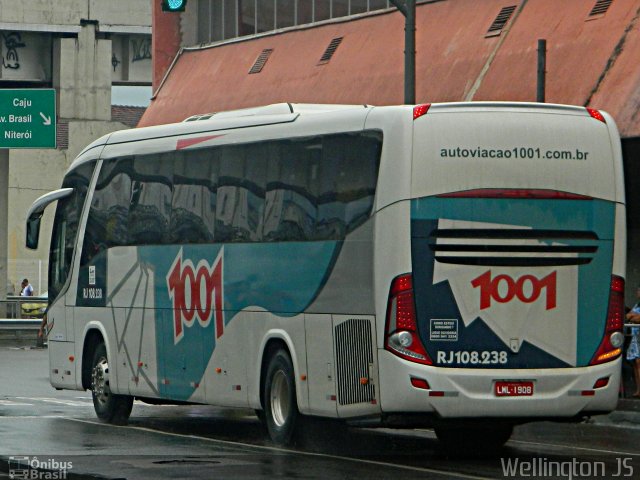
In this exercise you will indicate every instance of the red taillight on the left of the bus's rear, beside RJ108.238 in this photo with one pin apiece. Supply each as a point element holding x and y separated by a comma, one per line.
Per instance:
<point>401,337</point>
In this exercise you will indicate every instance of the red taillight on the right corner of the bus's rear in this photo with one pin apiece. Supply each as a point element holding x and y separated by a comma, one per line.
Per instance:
<point>611,345</point>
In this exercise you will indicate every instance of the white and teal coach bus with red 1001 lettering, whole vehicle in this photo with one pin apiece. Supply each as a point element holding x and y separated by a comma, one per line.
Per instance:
<point>458,265</point>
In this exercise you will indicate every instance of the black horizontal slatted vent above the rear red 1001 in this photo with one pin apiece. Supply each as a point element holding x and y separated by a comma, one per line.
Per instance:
<point>513,247</point>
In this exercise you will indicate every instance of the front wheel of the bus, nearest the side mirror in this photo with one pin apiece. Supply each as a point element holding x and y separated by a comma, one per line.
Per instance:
<point>109,407</point>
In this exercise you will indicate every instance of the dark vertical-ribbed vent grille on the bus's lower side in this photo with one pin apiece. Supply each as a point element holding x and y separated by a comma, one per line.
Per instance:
<point>354,352</point>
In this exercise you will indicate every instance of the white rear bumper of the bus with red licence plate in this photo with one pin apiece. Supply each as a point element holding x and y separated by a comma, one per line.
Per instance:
<point>463,393</point>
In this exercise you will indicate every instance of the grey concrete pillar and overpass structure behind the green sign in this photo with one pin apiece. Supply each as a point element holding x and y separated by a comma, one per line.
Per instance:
<point>80,48</point>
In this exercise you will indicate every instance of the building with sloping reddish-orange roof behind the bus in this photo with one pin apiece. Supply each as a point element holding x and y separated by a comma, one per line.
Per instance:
<point>226,54</point>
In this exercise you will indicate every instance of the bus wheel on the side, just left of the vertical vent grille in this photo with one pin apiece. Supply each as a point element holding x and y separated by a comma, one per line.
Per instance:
<point>280,403</point>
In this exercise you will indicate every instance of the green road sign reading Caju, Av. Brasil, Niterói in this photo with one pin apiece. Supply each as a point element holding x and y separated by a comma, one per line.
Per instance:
<point>28,118</point>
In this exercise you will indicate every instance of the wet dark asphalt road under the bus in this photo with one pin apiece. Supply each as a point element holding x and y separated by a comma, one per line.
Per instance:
<point>52,429</point>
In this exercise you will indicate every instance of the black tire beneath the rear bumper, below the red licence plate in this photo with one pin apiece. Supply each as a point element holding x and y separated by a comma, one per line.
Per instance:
<point>474,439</point>
